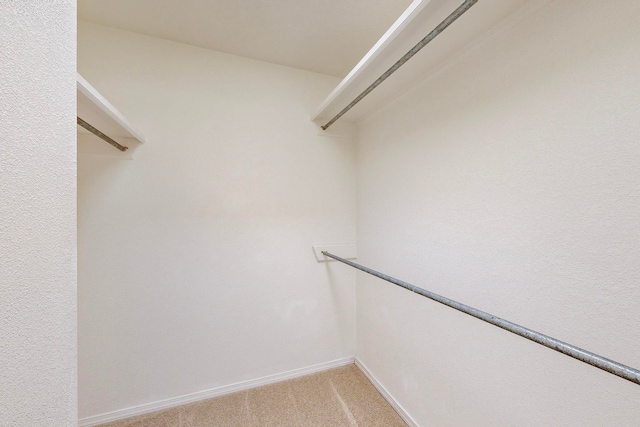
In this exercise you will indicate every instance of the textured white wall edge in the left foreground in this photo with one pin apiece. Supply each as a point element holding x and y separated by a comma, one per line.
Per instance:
<point>37,214</point>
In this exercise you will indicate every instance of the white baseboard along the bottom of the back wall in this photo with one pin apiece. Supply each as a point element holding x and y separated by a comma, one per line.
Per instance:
<point>210,393</point>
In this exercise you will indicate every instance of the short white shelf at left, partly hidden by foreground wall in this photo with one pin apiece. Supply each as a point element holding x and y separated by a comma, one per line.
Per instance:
<point>97,111</point>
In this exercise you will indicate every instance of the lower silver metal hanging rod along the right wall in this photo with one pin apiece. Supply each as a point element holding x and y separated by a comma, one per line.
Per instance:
<point>613,367</point>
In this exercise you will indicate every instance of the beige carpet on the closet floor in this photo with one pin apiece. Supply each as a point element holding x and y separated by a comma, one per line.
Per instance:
<point>338,397</point>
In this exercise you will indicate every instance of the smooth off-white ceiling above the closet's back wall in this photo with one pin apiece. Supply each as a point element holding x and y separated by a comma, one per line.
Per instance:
<point>325,36</point>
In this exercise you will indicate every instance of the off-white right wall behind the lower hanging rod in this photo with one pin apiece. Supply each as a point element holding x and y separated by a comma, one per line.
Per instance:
<point>509,182</point>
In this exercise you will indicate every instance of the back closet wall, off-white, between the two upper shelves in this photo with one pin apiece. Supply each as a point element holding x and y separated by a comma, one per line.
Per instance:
<point>196,267</point>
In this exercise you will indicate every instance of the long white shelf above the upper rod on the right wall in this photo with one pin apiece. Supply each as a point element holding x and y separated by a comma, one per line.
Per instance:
<point>479,24</point>
